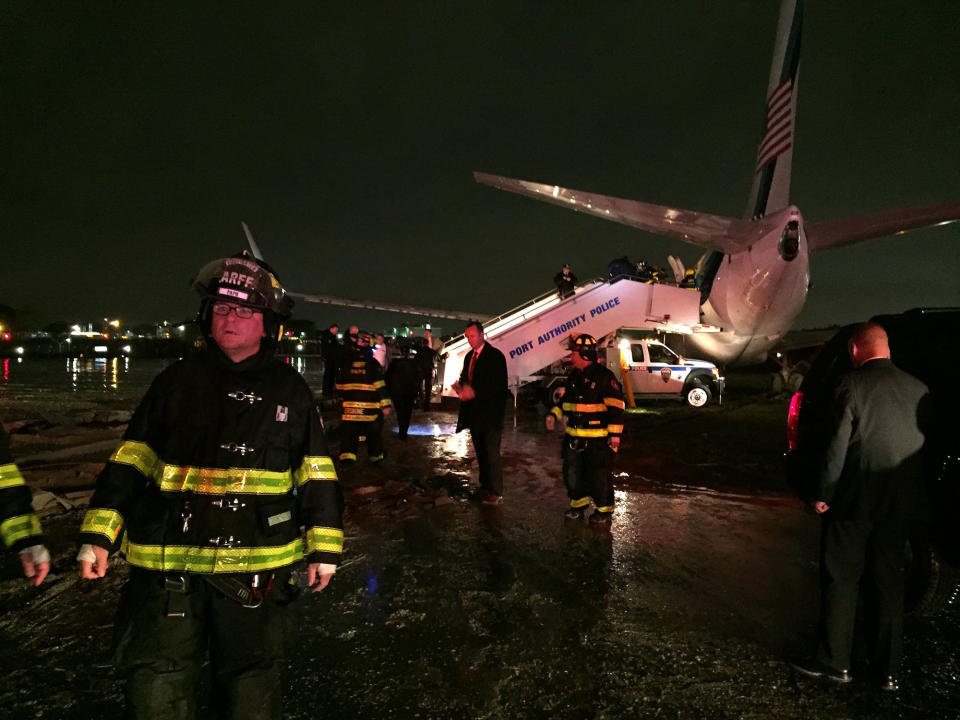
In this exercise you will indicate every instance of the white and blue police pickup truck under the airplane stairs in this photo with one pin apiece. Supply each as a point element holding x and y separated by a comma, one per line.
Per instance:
<point>654,371</point>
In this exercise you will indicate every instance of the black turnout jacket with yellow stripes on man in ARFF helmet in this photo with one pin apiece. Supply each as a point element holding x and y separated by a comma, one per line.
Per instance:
<point>222,469</point>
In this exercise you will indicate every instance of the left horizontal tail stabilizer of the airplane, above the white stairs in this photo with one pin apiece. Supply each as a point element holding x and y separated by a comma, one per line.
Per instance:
<point>713,232</point>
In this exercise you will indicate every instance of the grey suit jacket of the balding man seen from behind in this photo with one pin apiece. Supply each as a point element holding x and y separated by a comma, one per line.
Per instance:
<point>872,468</point>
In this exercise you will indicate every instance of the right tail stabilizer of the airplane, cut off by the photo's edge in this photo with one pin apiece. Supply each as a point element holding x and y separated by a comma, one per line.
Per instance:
<point>835,233</point>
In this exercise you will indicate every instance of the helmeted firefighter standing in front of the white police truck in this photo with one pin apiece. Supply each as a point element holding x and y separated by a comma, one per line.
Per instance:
<point>592,406</point>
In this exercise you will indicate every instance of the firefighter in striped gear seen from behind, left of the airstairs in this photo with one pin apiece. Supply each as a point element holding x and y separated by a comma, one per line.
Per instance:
<point>364,403</point>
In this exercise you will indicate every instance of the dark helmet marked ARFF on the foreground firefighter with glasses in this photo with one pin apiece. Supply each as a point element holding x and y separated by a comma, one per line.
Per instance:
<point>244,280</point>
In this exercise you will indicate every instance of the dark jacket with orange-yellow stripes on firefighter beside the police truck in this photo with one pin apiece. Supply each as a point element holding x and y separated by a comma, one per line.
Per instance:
<point>592,402</point>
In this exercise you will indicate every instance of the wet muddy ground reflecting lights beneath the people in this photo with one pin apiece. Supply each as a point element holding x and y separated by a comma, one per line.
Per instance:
<point>687,608</point>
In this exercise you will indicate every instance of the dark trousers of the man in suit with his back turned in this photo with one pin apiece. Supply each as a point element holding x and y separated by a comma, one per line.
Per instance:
<point>849,550</point>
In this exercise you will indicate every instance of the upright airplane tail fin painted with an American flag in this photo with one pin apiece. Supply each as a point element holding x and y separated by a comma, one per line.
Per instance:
<point>771,183</point>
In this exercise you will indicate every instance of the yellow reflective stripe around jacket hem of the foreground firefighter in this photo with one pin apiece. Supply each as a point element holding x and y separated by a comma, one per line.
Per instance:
<point>212,559</point>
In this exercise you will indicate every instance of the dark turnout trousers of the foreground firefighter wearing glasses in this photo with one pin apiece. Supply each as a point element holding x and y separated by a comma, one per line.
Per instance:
<point>161,657</point>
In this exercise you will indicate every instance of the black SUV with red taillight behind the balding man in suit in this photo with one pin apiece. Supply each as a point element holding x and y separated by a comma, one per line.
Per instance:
<point>924,343</point>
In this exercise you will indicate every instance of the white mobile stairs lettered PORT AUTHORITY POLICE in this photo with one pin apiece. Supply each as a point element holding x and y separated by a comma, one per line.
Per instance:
<point>537,333</point>
